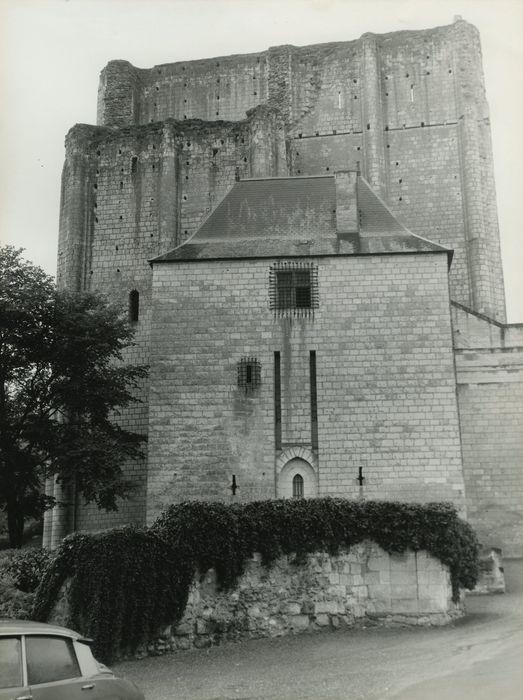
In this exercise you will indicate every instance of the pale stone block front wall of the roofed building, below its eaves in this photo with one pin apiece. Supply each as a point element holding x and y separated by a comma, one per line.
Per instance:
<point>386,391</point>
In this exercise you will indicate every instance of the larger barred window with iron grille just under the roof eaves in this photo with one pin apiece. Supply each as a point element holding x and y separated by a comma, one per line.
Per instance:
<point>294,288</point>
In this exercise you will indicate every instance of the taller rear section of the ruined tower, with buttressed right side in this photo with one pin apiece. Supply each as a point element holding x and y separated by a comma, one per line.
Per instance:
<point>408,107</point>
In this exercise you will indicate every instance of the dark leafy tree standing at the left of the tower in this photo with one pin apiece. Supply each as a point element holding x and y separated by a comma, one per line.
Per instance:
<point>61,388</point>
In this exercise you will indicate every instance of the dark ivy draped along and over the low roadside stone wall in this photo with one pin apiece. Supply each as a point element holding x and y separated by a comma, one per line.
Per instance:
<point>126,584</point>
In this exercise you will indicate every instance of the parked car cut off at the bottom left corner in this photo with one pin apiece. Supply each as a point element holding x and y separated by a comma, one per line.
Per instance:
<point>46,662</point>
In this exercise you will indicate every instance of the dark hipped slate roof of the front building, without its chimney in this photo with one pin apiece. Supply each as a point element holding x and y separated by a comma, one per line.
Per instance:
<point>294,216</point>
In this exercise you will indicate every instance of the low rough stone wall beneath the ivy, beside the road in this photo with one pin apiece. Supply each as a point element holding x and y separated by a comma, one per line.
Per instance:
<point>364,586</point>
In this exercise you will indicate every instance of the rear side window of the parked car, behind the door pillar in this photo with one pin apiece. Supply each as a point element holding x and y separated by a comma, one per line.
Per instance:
<point>50,659</point>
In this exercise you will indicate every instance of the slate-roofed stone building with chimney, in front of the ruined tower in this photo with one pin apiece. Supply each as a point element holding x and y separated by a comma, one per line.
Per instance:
<point>250,381</point>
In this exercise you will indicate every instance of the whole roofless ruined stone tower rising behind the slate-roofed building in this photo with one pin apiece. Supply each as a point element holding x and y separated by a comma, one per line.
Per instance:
<point>406,109</point>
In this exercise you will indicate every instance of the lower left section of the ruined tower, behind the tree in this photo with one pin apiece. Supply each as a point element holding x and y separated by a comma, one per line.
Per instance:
<point>131,194</point>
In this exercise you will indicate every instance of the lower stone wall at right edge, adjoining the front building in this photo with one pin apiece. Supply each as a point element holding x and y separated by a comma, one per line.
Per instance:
<point>489,367</point>
